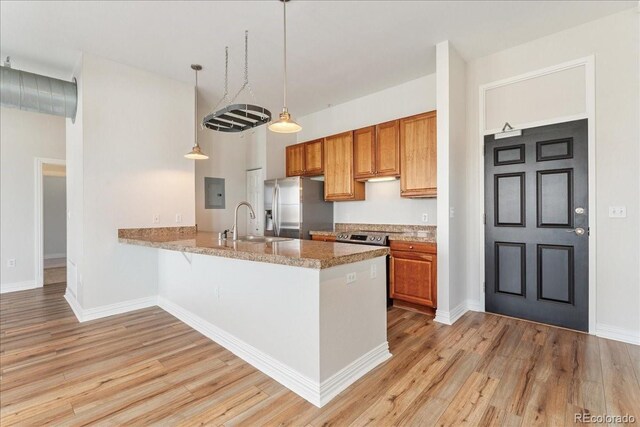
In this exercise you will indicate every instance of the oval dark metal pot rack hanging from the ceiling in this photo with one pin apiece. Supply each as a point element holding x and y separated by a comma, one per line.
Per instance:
<point>236,117</point>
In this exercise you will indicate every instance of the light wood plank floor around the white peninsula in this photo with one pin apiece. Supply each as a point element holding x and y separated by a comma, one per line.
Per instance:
<point>146,367</point>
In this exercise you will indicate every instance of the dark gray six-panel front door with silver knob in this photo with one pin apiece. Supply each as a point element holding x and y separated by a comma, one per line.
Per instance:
<point>536,232</point>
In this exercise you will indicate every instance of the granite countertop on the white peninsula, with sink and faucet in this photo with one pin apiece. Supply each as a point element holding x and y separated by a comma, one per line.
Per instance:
<point>297,253</point>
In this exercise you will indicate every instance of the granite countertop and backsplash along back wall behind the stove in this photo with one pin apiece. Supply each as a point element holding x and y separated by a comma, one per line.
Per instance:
<point>406,233</point>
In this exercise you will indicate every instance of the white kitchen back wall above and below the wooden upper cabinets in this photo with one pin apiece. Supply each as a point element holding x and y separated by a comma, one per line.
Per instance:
<point>383,203</point>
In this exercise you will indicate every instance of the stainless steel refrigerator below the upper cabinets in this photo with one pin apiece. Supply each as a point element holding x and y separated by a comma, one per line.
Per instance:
<point>294,206</point>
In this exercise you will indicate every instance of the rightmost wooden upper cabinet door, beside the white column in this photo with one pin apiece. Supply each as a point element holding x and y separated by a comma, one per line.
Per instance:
<point>418,156</point>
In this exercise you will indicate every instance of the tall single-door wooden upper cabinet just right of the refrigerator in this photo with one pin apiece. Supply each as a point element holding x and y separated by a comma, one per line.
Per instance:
<point>339,180</point>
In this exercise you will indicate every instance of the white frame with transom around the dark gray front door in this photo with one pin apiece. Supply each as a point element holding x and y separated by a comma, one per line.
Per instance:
<point>590,90</point>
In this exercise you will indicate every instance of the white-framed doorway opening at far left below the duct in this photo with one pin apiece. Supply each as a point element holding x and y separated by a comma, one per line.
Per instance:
<point>51,222</point>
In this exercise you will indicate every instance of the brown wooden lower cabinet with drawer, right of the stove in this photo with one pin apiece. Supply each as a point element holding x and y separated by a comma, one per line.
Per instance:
<point>413,273</point>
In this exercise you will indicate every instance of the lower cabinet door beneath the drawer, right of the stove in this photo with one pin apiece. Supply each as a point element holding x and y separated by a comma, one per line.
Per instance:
<point>413,277</point>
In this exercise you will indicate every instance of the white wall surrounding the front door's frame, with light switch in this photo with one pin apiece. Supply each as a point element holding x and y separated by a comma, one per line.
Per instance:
<point>614,41</point>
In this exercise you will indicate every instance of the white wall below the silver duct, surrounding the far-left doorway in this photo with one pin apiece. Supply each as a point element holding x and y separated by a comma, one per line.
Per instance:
<point>23,137</point>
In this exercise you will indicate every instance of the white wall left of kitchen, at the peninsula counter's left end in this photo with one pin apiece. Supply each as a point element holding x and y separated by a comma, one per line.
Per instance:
<point>134,130</point>
